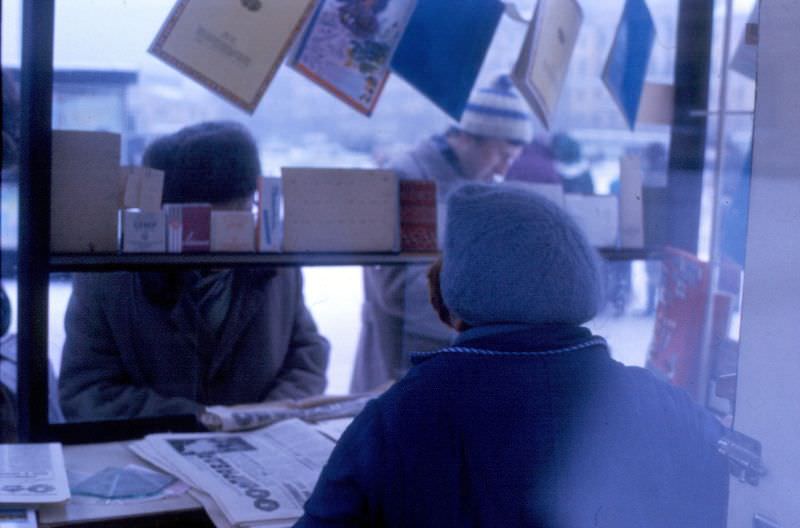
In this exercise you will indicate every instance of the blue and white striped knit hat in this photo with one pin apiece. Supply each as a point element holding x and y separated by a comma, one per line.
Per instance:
<point>498,112</point>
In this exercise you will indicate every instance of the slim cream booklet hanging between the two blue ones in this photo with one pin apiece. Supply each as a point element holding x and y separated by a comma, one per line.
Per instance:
<point>542,63</point>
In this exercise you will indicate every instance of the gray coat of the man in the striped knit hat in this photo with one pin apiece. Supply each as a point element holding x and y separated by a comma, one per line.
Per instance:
<point>397,317</point>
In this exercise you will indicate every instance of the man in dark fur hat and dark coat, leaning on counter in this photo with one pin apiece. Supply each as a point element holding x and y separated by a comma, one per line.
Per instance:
<point>155,343</point>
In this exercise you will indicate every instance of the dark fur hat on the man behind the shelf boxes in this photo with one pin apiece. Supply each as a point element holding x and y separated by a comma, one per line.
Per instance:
<point>214,162</point>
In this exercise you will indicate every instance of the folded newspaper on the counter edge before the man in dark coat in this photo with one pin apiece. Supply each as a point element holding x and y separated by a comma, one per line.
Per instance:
<point>251,416</point>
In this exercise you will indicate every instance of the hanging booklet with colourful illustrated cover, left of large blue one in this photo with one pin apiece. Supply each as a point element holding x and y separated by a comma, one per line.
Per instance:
<point>348,45</point>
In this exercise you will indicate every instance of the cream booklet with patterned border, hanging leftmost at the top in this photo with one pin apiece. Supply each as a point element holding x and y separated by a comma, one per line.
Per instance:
<point>231,48</point>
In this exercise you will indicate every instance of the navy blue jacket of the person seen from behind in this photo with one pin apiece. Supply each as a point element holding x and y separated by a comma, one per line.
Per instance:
<point>525,426</point>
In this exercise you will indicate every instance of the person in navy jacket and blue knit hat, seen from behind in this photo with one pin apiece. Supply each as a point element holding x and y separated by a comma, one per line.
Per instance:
<point>525,420</point>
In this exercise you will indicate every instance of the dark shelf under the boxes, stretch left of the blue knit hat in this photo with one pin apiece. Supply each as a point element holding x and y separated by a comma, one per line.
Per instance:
<point>111,262</point>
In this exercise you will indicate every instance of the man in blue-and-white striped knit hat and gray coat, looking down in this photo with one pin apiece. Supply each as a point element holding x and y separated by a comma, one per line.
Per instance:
<point>396,317</point>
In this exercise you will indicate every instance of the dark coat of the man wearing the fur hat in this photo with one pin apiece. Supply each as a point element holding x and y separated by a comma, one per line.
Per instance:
<point>126,356</point>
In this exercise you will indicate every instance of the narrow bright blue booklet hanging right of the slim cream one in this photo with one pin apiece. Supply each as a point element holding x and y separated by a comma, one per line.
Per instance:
<point>626,65</point>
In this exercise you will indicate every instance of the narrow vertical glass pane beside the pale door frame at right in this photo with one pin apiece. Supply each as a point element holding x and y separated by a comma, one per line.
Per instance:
<point>726,195</point>
